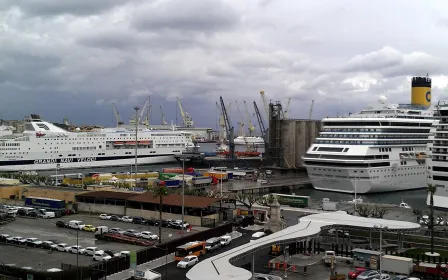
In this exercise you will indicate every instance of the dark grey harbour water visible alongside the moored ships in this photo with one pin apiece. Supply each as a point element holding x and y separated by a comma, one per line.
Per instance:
<point>415,198</point>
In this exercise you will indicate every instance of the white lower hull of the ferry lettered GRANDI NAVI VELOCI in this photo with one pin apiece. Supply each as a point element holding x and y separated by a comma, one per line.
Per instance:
<point>87,162</point>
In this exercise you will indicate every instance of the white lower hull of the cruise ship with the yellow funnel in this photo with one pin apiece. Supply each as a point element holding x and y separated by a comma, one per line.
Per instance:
<point>367,186</point>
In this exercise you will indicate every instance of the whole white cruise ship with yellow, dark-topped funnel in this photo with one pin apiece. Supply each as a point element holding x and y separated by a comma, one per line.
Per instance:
<point>380,149</point>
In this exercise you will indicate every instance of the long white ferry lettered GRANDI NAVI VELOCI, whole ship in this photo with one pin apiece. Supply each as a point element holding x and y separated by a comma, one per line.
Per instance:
<point>42,146</point>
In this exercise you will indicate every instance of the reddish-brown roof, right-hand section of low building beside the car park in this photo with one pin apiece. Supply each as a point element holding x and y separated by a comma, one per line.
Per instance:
<point>176,200</point>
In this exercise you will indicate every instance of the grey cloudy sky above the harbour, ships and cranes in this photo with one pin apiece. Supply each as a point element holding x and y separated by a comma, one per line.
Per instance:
<point>75,58</point>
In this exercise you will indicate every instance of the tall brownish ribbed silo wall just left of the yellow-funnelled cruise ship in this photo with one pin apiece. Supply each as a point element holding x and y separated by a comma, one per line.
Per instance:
<point>297,137</point>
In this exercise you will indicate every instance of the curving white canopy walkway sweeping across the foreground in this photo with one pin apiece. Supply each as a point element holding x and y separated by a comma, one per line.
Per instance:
<point>220,267</point>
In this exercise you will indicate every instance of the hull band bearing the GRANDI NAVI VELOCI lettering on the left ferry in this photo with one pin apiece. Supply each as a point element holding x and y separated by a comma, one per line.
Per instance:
<point>142,159</point>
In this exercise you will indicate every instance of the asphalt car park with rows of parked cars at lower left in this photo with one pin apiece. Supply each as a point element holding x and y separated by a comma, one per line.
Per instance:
<point>45,229</point>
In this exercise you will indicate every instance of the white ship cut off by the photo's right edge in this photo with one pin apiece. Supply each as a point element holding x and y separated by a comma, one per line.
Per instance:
<point>438,156</point>
